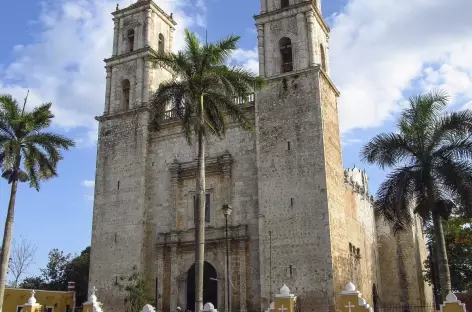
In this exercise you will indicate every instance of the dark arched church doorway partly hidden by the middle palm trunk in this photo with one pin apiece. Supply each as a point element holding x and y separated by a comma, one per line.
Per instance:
<point>210,286</point>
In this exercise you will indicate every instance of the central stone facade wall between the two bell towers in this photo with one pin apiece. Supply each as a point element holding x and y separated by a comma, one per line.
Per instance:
<point>170,206</point>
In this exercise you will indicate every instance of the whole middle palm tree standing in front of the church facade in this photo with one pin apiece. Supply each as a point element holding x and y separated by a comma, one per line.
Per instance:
<point>202,95</point>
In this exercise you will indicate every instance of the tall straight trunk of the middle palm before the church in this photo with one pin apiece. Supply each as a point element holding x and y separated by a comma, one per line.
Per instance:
<point>200,216</point>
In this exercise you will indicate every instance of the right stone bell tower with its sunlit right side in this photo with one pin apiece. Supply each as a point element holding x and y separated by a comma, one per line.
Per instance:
<point>299,153</point>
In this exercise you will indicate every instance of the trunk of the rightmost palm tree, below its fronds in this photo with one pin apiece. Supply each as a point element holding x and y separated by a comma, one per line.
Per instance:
<point>441,257</point>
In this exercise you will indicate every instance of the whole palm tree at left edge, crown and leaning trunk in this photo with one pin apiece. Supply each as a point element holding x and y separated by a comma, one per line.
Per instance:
<point>27,153</point>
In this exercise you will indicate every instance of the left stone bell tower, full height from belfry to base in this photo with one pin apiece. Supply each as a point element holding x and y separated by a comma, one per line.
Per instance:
<point>120,225</point>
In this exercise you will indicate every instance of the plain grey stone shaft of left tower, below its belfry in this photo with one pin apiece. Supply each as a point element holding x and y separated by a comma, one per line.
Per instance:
<point>117,230</point>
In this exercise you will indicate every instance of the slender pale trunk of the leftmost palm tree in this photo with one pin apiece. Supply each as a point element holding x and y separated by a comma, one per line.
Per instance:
<point>5,255</point>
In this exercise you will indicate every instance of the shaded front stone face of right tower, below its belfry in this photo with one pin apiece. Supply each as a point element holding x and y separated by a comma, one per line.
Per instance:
<point>294,218</point>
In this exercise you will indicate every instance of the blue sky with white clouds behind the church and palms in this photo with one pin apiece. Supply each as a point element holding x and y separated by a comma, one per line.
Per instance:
<point>380,53</point>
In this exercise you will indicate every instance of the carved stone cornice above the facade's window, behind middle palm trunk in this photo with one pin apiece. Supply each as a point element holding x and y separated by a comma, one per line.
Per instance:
<point>213,165</point>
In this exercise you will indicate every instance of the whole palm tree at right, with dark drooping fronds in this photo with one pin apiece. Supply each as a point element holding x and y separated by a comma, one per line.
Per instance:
<point>430,155</point>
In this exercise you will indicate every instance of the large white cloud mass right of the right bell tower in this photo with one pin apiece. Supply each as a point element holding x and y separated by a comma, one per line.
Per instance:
<point>381,49</point>
